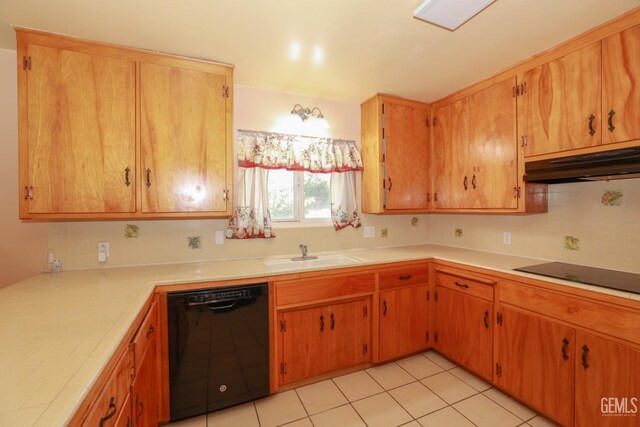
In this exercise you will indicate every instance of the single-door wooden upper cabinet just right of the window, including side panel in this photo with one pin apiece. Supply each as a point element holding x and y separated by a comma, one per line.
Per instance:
<point>396,155</point>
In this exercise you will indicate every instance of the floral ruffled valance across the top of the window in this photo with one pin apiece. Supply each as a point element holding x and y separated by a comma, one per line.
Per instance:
<point>299,153</point>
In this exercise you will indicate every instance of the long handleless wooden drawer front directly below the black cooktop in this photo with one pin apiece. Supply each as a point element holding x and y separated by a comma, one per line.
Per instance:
<point>601,317</point>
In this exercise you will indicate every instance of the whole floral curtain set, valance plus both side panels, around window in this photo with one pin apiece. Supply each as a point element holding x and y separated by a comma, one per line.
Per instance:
<point>258,152</point>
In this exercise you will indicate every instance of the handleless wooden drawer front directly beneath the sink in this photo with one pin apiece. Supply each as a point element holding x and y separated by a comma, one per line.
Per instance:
<point>305,290</point>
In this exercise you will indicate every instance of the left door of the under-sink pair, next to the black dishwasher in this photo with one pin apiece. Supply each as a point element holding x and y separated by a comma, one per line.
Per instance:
<point>304,343</point>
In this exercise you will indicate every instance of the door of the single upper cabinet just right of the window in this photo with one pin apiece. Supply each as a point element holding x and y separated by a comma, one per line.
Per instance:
<point>406,157</point>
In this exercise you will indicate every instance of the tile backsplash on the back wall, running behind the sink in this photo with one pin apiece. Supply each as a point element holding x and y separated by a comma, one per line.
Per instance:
<point>158,242</point>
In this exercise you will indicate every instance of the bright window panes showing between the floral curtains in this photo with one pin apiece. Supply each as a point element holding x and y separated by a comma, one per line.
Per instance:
<point>299,196</point>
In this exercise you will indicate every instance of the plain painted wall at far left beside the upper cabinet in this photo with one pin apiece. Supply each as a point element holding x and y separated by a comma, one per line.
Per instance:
<point>22,246</point>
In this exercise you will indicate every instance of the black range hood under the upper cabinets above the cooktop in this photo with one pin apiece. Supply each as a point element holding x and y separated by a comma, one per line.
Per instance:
<point>623,163</point>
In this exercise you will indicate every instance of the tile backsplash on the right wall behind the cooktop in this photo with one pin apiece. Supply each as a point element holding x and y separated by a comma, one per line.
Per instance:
<point>591,223</point>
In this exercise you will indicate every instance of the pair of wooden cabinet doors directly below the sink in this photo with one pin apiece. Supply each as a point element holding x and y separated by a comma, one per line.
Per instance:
<point>315,340</point>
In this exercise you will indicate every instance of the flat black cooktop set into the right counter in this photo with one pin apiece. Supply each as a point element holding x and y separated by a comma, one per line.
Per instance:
<point>612,279</point>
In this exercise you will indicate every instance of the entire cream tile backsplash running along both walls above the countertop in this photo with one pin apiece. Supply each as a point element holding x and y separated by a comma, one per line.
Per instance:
<point>595,223</point>
